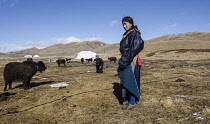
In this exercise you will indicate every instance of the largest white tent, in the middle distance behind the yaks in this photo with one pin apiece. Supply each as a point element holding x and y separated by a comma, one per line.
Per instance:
<point>85,55</point>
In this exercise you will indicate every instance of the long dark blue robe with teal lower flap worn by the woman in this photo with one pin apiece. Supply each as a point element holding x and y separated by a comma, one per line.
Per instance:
<point>130,46</point>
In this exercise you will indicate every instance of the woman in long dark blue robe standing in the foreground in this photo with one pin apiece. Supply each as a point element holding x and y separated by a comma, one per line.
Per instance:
<point>129,63</point>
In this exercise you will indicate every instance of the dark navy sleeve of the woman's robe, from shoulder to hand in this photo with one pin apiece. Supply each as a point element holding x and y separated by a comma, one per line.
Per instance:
<point>135,45</point>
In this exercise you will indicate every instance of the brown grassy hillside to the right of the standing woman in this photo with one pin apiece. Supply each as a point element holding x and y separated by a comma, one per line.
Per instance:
<point>192,43</point>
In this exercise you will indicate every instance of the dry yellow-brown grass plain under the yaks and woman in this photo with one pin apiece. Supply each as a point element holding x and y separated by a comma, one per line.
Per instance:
<point>94,98</point>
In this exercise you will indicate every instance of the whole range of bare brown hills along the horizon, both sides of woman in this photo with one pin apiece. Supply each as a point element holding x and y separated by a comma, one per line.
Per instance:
<point>191,40</point>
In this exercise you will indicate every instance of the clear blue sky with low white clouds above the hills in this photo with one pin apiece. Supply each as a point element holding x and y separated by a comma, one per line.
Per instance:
<point>41,23</point>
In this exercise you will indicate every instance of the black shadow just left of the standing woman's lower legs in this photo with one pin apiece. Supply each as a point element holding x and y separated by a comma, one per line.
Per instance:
<point>118,91</point>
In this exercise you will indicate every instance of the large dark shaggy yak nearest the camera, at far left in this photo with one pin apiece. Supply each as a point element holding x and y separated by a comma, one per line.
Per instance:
<point>23,71</point>
